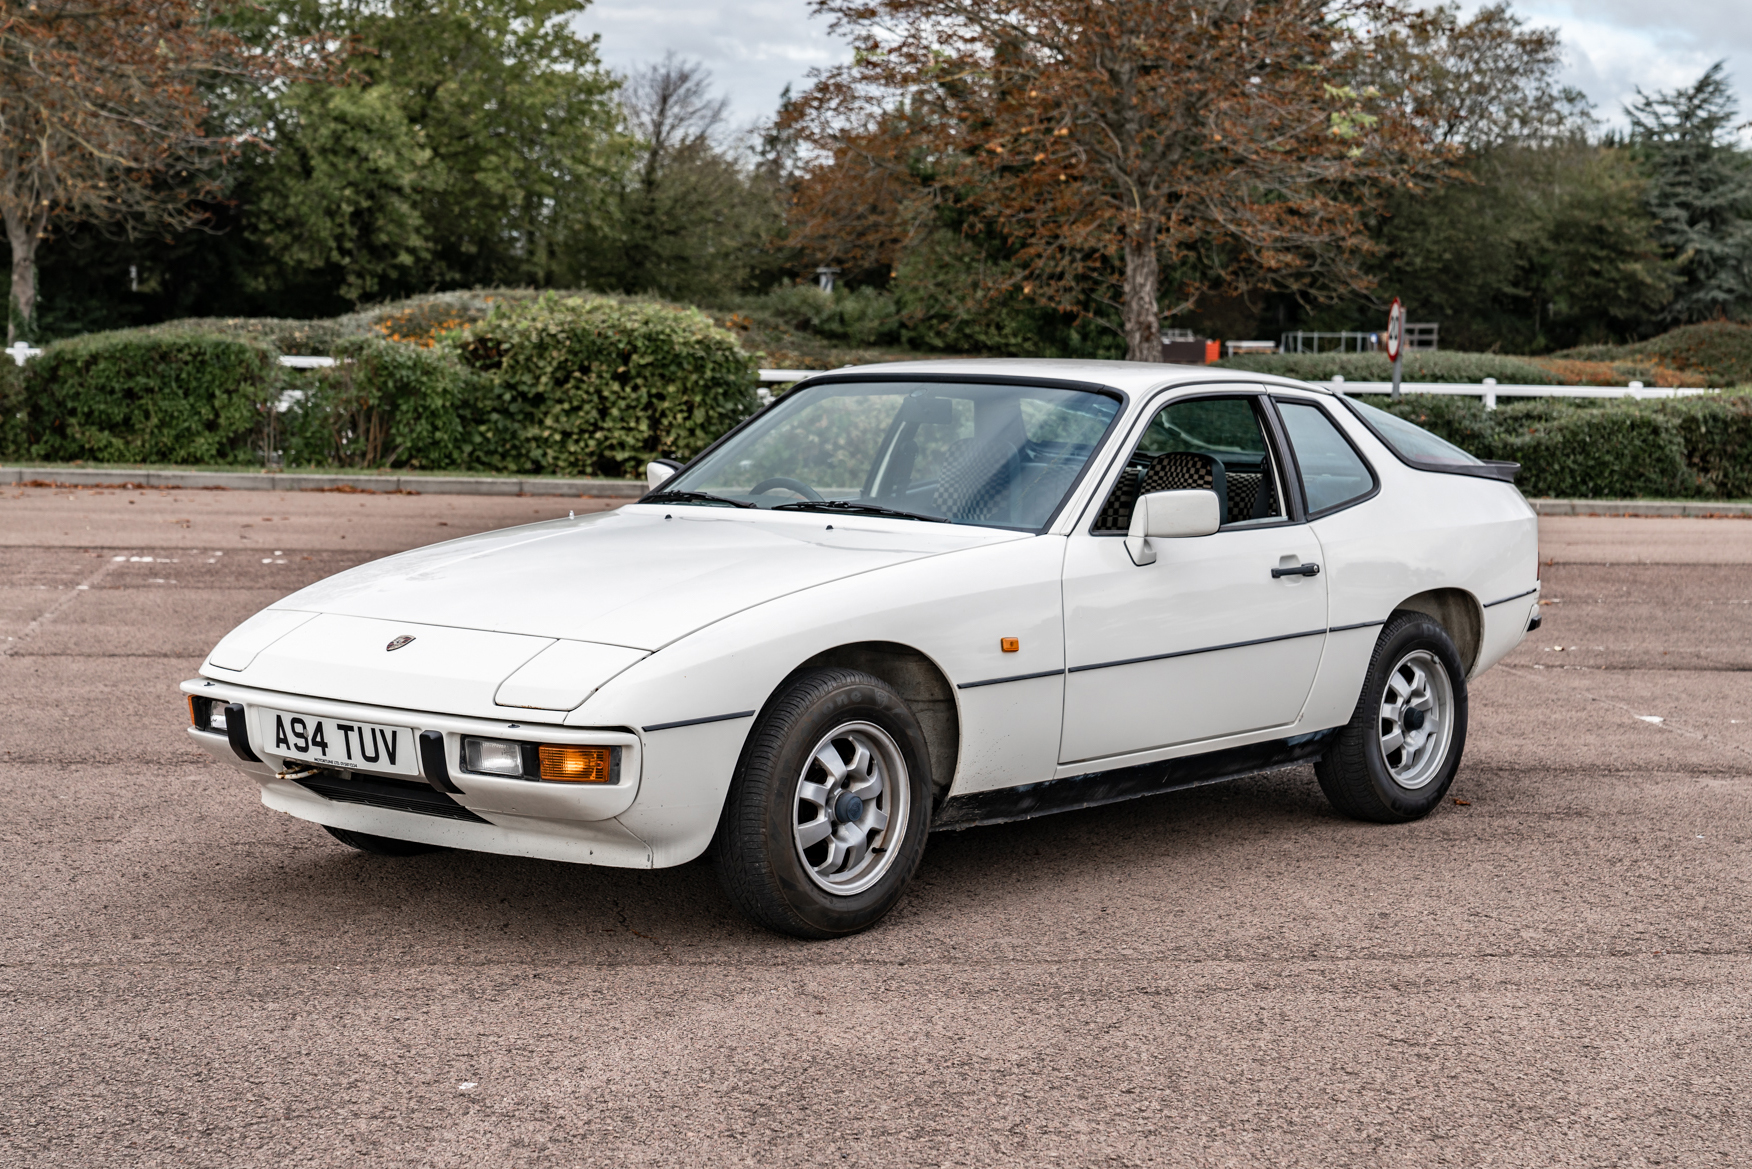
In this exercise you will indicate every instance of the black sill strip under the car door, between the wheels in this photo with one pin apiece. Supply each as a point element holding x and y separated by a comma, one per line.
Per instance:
<point>1108,788</point>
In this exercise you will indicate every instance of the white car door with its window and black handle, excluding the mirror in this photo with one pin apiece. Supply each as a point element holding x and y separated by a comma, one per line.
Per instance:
<point>1208,641</point>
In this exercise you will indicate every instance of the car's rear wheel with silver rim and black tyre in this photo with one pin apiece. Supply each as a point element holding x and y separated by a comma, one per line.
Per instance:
<point>1401,751</point>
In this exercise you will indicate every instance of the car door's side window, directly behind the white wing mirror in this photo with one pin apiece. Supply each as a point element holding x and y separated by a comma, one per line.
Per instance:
<point>1215,444</point>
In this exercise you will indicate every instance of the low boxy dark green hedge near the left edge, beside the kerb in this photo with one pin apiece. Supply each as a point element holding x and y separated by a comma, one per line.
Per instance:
<point>148,399</point>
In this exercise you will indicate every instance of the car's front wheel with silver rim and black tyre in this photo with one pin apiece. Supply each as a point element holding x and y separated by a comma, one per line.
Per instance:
<point>828,816</point>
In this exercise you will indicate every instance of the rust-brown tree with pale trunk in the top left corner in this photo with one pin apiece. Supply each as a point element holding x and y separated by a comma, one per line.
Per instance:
<point>104,118</point>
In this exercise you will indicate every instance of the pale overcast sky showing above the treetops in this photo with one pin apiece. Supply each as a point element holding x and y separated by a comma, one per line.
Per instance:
<point>754,48</point>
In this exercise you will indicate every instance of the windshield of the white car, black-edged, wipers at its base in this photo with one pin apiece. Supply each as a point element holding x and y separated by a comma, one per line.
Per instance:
<point>964,453</point>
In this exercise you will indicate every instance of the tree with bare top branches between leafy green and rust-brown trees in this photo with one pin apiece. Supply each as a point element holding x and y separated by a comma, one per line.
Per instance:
<point>691,213</point>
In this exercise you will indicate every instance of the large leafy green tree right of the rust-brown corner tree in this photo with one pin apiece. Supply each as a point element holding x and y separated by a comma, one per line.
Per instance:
<point>470,146</point>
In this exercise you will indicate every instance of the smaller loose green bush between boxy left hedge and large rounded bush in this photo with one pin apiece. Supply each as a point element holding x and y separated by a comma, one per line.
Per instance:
<point>383,406</point>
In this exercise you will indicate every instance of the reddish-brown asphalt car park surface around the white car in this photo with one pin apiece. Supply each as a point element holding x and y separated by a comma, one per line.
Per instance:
<point>1548,972</point>
